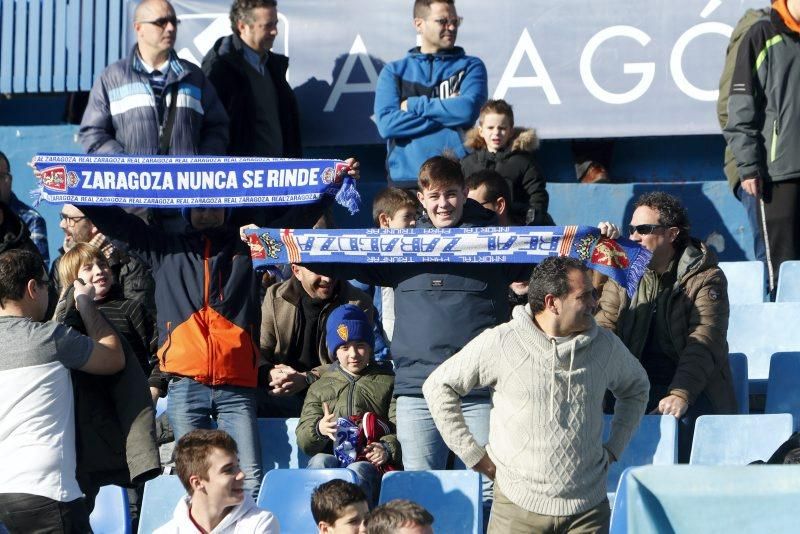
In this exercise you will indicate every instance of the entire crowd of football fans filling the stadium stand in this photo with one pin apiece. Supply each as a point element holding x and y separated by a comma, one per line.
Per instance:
<point>504,369</point>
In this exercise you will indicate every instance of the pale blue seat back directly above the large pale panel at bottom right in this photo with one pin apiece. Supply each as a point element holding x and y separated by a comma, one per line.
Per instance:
<point>738,439</point>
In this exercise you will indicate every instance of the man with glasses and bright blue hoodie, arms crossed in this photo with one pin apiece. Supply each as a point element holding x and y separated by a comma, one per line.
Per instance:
<point>425,101</point>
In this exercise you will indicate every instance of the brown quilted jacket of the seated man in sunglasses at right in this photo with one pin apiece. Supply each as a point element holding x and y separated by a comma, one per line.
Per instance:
<point>698,313</point>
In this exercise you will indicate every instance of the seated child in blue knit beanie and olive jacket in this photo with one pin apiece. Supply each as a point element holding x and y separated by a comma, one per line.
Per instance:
<point>348,417</point>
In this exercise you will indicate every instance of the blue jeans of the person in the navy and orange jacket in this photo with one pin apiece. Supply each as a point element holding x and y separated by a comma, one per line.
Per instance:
<point>193,405</point>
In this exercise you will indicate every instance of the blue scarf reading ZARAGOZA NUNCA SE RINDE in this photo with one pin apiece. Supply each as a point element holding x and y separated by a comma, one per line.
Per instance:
<point>176,181</point>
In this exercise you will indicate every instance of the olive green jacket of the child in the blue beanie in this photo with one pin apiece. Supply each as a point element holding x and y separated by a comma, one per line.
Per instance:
<point>348,395</point>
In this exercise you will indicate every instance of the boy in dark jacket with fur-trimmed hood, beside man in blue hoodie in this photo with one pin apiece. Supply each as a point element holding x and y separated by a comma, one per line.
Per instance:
<point>499,146</point>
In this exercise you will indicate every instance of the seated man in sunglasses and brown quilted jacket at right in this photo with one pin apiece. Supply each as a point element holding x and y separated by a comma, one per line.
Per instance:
<point>677,321</point>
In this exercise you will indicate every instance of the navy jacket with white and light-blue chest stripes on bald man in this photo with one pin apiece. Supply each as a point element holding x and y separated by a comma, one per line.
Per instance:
<point>121,116</point>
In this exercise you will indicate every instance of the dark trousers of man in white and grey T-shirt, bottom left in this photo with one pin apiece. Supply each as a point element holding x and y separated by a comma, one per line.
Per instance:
<point>24,513</point>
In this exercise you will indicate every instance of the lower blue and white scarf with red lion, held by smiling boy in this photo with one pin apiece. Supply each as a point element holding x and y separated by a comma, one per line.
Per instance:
<point>621,259</point>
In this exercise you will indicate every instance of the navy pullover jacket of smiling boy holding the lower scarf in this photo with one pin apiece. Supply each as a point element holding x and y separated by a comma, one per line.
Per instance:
<point>439,307</point>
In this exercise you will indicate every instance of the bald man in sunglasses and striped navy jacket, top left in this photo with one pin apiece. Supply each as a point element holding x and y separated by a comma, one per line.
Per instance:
<point>132,101</point>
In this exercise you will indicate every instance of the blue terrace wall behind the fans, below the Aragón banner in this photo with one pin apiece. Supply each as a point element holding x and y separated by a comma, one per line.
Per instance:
<point>688,166</point>
